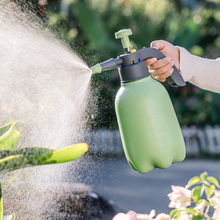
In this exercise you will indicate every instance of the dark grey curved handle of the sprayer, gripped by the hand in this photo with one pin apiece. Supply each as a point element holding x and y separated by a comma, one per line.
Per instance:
<point>175,79</point>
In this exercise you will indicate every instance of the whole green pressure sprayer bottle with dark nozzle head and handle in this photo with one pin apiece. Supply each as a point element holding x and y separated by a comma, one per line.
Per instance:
<point>150,132</point>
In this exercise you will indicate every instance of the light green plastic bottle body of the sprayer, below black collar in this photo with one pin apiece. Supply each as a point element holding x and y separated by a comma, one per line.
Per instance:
<point>150,132</point>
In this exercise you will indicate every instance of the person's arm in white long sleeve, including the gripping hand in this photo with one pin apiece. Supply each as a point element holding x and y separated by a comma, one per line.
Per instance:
<point>204,73</point>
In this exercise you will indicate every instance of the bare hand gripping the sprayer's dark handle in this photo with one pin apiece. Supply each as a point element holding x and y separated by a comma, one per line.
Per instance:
<point>162,69</point>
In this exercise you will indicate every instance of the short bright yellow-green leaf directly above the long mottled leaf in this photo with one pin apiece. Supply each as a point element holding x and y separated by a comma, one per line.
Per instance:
<point>11,142</point>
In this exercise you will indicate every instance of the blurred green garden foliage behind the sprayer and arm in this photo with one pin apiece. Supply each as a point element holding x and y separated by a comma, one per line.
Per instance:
<point>88,26</point>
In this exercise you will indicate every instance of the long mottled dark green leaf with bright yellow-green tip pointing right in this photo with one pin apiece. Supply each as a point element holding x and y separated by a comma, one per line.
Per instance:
<point>33,157</point>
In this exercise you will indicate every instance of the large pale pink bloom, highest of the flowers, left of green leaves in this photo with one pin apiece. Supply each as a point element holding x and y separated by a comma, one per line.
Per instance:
<point>180,197</point>
